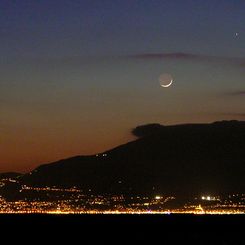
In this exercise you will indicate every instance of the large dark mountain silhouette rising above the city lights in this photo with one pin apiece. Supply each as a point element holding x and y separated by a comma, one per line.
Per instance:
<point>181,159</point>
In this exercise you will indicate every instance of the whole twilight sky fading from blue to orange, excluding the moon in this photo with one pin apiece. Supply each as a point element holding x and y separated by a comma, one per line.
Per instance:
<point>74,77</point>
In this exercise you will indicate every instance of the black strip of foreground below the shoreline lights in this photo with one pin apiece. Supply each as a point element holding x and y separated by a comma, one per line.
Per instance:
<point>194,229</point>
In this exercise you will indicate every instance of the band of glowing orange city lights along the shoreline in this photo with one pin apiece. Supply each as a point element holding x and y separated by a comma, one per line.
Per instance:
<point>54,200</point>
